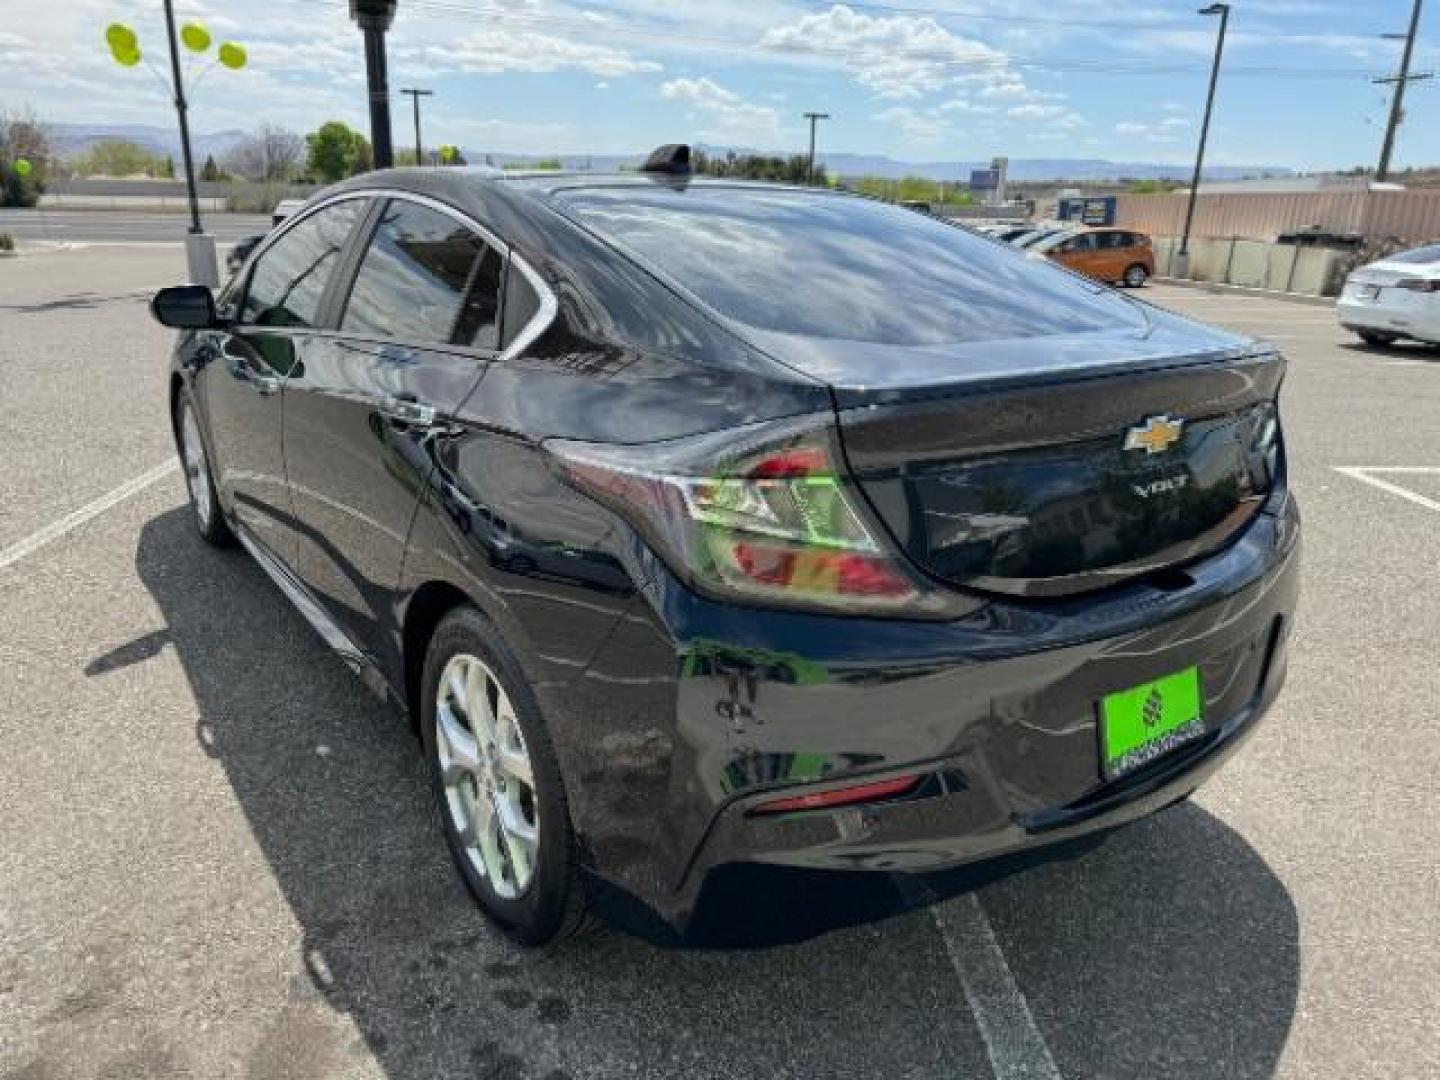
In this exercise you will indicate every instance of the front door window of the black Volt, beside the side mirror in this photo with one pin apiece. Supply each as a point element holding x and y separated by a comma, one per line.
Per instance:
<point>290,279</point>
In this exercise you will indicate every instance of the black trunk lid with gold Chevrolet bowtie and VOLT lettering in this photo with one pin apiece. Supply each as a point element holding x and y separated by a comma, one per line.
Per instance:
<point>1058,477</point>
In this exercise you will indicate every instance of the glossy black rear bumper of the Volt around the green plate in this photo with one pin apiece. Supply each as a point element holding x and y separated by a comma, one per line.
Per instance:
<point>997,712</point>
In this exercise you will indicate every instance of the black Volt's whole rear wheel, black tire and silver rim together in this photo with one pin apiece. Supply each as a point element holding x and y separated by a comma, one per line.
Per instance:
<point>498,783</point>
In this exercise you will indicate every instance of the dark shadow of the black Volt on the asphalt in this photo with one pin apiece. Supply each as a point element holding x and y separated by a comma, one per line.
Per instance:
<point>1170,951</point>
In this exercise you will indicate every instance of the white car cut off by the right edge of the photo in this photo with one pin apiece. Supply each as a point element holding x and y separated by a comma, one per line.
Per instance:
<point>1396,297</point>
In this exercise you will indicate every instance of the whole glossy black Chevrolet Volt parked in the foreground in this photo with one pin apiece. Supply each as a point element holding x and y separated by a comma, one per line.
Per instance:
<point>702,525</point>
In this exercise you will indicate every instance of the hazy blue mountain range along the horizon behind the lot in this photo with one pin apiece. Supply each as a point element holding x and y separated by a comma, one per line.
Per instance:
<point>77,139</point>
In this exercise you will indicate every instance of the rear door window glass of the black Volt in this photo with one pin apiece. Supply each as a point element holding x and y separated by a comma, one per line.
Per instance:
<point>427,279</point>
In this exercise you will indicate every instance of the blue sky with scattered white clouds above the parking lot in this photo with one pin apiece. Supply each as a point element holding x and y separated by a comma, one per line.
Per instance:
<point>919,80</point>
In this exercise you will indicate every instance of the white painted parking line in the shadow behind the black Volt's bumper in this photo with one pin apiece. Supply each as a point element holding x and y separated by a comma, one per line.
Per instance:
<point>1014,1045</point>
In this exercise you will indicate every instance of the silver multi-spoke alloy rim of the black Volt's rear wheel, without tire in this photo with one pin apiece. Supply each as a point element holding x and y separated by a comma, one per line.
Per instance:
<point>487,775</point>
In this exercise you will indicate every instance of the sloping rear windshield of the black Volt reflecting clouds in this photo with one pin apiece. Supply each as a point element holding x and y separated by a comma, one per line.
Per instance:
<point>837,267</point>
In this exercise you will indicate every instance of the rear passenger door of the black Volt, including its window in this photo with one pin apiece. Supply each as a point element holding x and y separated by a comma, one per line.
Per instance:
<point>417,329</point>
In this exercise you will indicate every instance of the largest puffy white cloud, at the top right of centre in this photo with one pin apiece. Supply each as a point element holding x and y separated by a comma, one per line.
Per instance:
<point>896,57</point>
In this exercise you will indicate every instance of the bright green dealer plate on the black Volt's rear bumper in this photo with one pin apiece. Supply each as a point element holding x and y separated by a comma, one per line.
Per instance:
<point>1140,725</point>
